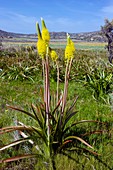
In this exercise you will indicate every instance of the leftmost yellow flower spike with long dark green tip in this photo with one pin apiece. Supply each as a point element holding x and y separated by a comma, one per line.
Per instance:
<point>41,44</point>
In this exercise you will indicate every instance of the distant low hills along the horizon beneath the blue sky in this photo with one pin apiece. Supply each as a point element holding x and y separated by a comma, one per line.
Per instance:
<point>95,36</point>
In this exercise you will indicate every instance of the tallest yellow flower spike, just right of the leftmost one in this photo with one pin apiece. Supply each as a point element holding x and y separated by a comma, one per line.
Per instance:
<point>45,32</point>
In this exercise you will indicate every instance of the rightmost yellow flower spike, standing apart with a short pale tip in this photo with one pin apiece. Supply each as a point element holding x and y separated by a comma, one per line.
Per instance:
<point>70,48</point>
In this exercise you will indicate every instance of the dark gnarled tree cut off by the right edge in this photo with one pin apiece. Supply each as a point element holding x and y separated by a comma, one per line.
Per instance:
<point>107,30</point>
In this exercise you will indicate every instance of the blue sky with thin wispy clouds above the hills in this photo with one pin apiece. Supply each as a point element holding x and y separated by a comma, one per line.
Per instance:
<point>71,16</point>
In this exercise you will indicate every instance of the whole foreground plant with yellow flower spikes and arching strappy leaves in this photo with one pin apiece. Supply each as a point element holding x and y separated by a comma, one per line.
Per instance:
<point>51,135</point>
